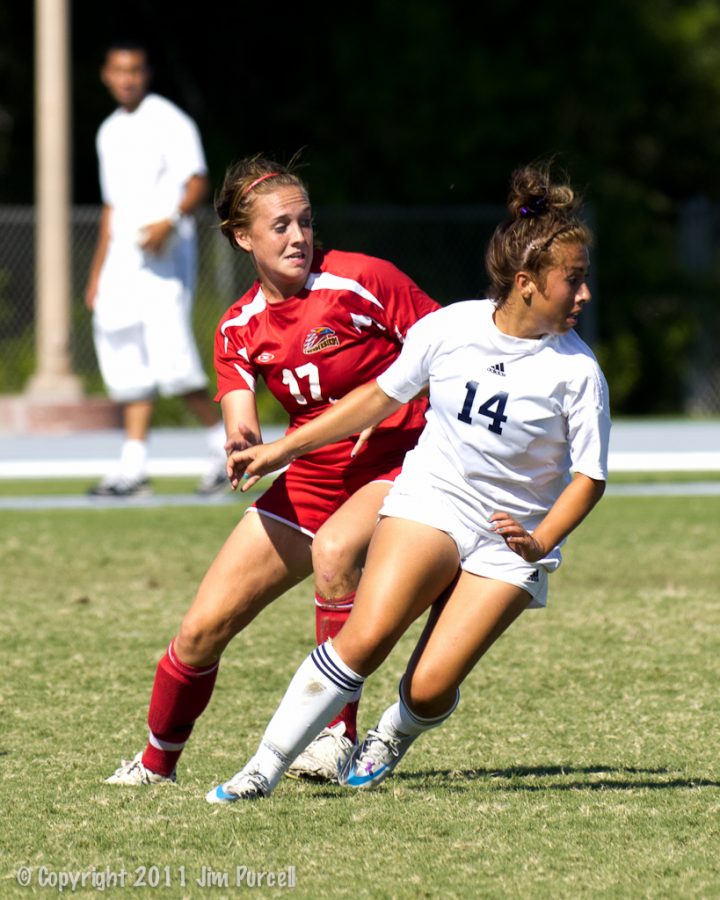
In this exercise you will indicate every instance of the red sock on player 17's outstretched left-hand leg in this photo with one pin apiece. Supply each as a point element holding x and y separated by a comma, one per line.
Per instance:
<point>180,694</point>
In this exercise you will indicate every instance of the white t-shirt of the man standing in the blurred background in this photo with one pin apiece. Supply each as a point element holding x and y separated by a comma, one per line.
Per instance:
<point>146,158</point>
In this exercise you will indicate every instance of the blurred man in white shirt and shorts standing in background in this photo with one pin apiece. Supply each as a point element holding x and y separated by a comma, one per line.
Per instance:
<point>142,277</point>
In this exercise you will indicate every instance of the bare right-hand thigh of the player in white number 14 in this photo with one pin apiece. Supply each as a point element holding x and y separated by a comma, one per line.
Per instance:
<point>460,630</point>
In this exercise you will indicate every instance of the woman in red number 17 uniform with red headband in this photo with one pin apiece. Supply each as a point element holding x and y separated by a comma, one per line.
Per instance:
<point>315,325</point>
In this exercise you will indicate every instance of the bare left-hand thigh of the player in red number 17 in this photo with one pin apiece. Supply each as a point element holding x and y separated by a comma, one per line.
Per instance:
<point>261,559</point>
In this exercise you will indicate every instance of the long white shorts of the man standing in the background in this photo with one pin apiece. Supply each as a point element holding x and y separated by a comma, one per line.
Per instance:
<point>156,355</point>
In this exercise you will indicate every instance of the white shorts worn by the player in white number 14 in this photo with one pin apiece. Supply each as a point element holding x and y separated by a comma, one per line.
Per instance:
<point>482,552</point>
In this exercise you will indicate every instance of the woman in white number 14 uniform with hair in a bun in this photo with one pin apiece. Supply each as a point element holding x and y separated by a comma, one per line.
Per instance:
<point>513,457</point>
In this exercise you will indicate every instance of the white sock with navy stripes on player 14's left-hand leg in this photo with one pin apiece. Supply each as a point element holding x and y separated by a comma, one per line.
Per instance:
<point>318,691</point>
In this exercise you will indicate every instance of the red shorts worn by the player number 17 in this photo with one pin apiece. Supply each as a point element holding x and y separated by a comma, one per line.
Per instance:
<point>313,487</point>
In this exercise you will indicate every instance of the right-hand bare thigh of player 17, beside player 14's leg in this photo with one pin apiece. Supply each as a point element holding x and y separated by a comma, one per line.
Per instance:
<point>342,542</point>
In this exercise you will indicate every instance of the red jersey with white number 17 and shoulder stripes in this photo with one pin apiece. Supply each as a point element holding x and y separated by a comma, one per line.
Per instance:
<point>343,328</point>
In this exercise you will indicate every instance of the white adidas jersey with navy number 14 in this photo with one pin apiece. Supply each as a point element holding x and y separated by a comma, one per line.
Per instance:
<point>508,418</point>
